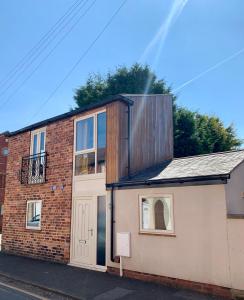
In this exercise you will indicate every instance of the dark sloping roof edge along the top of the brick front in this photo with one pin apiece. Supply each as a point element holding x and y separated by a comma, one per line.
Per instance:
<point>69,114</point>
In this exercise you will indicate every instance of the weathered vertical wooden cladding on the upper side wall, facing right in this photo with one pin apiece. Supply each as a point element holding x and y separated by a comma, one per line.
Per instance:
<point>151,131</point>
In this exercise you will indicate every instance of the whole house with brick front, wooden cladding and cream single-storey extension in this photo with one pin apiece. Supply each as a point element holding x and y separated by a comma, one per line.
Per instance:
<point>78,180</point>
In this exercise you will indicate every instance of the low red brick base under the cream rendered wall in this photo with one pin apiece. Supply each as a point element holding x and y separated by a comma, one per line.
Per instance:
<point>175,282</point>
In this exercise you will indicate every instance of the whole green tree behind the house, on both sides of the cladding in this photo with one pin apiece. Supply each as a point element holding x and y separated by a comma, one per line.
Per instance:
<point>194,133</point>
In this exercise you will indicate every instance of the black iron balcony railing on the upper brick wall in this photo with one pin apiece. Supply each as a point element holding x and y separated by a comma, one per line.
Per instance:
<point>33,169</point>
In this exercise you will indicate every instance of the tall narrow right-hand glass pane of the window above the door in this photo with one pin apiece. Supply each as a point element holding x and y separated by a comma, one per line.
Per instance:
<point>101,142</point>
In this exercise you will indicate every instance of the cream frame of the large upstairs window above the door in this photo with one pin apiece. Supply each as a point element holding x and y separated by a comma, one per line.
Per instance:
<point>91,150</point>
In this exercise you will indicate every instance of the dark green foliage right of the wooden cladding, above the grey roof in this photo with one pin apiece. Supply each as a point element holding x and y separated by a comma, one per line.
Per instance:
<point>195,133</point>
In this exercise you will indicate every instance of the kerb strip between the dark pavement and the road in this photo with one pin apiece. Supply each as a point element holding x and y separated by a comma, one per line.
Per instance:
<point>48,289</point>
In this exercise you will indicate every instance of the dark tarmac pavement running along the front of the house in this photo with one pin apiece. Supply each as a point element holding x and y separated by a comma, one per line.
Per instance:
<point>78,283</point>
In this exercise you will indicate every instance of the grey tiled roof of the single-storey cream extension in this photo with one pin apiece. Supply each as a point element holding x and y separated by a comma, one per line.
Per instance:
<point>209,166</point>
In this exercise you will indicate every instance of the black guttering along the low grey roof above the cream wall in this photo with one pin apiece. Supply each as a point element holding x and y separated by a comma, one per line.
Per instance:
<point>220,179</point>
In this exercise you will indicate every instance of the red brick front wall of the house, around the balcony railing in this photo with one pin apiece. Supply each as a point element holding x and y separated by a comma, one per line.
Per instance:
<point>52,242</point>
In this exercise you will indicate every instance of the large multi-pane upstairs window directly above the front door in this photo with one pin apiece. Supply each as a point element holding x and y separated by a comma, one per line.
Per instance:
<point>90,144</point>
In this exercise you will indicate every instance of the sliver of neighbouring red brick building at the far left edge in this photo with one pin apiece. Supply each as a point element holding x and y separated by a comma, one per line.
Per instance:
<point>3,164</point>
